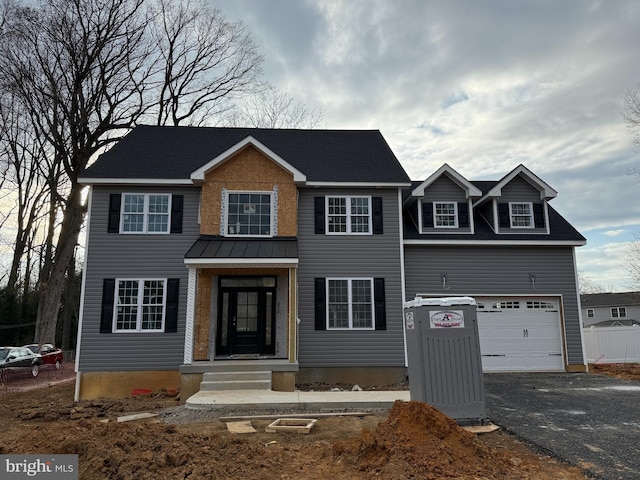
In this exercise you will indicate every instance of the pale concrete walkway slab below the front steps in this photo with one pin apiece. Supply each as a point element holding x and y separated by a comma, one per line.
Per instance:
<point>268,399</point>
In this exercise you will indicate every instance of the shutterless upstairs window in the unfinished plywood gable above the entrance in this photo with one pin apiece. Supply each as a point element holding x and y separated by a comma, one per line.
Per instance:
<point>249,213</point>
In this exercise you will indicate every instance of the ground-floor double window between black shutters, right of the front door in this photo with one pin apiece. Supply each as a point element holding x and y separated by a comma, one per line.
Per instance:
<point>350,303</point>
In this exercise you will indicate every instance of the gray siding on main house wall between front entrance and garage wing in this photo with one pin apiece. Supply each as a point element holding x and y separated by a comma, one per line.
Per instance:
<point>322,256</point>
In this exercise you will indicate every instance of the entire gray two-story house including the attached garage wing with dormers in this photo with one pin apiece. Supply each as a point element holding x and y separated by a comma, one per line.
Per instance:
<point>295,249</point>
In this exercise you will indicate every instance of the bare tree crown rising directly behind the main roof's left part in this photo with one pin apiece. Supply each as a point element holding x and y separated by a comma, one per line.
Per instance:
<point>206,62</point>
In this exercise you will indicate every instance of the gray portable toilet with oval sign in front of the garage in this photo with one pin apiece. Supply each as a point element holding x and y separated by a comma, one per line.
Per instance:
<point>445,367</point>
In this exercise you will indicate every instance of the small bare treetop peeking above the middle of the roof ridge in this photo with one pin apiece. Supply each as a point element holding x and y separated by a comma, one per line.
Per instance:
<point>273,108</point>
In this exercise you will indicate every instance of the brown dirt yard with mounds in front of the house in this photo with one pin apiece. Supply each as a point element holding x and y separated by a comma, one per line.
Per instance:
<point>412,440</point>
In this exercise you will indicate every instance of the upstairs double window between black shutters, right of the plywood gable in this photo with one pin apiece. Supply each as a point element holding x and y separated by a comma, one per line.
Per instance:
<point>348,215</point>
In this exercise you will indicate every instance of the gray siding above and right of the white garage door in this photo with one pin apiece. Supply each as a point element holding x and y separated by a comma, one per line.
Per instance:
<point>491,270</point>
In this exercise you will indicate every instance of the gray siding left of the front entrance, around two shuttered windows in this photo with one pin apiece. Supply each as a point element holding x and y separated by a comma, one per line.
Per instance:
<point>113,255</point>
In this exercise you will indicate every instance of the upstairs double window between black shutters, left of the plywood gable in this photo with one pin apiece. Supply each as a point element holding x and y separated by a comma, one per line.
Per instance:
<point>145,213</point>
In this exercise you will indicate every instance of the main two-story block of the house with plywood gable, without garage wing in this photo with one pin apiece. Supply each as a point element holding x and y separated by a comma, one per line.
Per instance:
<point>208,244</point>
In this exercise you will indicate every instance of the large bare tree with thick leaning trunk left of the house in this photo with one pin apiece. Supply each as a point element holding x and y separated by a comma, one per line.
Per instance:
<point>78,68</point>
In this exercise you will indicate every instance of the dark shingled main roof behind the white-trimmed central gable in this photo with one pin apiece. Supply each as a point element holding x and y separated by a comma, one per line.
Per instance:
<point>155,152</point>
